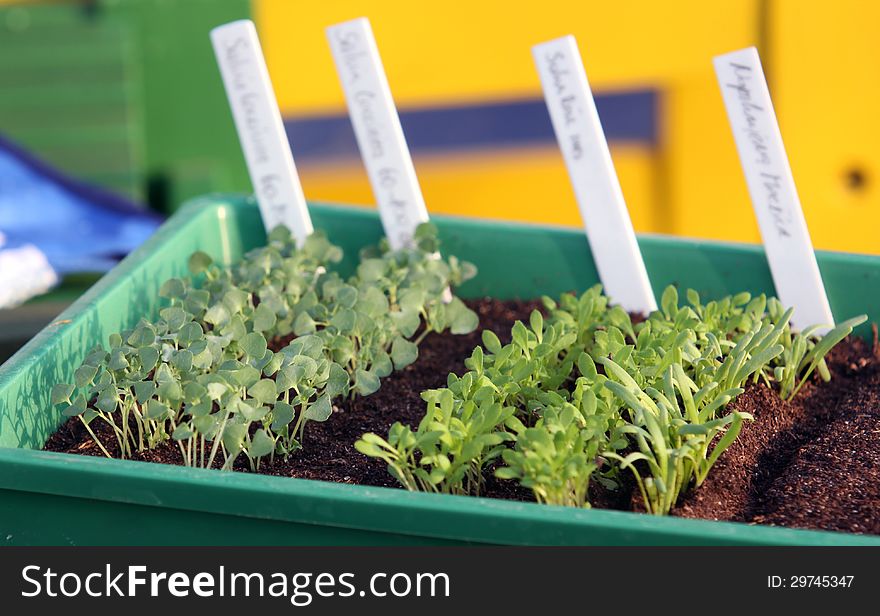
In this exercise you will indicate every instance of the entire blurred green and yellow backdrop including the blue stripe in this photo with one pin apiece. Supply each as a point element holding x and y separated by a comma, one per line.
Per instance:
<point>470,102</point>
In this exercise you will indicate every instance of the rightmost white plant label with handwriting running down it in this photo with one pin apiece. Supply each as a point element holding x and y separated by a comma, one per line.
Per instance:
<point>771,187</point>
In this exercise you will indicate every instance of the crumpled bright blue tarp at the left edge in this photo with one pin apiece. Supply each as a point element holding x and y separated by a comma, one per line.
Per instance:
<point>80,228</point>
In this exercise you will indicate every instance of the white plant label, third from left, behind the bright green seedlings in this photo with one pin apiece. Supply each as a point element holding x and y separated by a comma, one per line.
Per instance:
<point>596,187</point>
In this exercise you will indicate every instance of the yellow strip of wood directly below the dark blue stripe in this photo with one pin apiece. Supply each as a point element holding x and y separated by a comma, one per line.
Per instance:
<point>515,184</point>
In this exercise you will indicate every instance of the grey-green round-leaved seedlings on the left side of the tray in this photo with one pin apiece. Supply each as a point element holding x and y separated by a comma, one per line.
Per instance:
<point>206,374</point>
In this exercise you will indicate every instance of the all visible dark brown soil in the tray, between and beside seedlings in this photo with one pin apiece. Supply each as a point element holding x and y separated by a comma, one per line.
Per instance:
<point>810,463</point>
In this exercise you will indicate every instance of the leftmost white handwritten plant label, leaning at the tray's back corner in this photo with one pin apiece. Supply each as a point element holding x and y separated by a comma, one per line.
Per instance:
<point>260,128</point>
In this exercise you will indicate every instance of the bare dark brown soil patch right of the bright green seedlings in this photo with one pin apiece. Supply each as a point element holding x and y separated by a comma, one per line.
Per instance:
<point>813,462</point>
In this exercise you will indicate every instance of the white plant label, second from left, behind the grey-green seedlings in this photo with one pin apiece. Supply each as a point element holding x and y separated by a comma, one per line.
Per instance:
<point>378,131</point>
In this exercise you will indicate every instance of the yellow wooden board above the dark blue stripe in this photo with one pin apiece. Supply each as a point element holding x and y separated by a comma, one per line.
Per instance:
<point>435,52</point>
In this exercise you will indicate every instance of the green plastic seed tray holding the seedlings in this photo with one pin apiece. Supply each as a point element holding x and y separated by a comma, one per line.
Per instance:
<point>54,498</point>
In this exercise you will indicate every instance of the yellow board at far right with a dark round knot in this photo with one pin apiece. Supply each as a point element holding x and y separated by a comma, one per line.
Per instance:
<point>825,80</point>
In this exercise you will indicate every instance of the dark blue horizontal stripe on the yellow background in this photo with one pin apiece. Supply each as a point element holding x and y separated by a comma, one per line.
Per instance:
<point>626,116</point>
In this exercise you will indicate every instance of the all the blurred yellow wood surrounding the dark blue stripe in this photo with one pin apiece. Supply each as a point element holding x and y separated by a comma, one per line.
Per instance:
<point>822,60</point>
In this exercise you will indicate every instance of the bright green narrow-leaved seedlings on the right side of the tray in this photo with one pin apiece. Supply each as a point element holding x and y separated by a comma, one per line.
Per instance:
<point>586,394</point>
